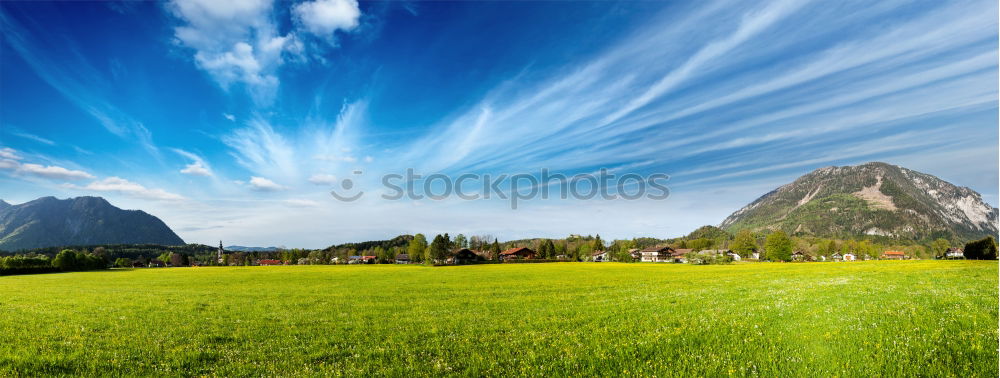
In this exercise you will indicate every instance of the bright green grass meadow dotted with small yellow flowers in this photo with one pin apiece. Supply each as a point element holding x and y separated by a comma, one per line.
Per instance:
<point>816,319</point>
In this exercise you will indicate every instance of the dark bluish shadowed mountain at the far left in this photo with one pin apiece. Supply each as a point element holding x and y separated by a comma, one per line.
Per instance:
<point>49,222</point>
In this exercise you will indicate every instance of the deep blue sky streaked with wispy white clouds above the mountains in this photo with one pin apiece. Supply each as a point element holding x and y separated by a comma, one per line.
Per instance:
<point>233,120</point>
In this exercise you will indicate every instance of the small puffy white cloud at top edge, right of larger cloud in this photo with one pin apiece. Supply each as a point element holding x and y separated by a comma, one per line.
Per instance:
<point>324,17</point>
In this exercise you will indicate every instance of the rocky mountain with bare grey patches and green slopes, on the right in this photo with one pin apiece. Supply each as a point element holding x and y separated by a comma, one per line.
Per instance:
<point>872,199</point>
